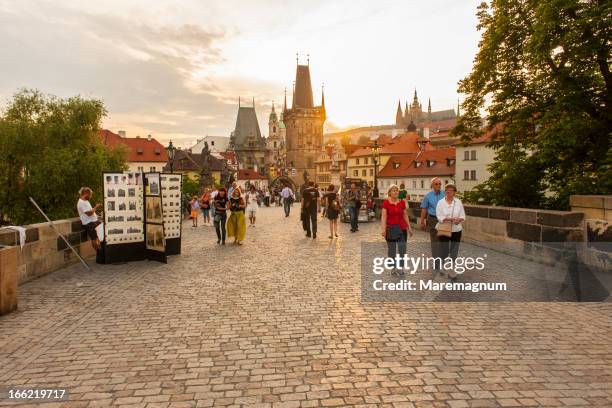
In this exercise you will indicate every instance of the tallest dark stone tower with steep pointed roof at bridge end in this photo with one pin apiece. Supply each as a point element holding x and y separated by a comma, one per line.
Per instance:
<point>304,128</point>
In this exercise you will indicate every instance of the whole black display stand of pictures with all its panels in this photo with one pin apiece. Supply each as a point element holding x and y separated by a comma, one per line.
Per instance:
<point>139,217</point>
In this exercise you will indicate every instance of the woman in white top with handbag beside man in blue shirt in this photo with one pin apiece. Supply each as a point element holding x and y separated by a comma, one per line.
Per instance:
<point>450,214</point>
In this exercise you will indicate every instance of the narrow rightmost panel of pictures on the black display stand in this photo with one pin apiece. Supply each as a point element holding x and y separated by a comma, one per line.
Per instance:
<point>171,196</point>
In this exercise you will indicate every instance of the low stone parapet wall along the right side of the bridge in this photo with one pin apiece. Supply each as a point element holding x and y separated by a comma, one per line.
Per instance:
<point>543,234</point>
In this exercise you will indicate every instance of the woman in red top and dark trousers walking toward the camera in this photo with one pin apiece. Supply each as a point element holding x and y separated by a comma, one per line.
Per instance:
<point>395,226</point>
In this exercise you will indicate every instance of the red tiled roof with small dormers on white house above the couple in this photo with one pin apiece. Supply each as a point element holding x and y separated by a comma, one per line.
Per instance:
<point>402,166</point>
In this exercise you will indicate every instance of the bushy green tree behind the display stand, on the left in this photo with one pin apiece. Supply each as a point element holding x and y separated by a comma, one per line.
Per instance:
<point>51,149</point>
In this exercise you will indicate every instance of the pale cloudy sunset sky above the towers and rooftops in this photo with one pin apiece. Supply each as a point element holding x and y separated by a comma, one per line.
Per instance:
<point>175,69</point>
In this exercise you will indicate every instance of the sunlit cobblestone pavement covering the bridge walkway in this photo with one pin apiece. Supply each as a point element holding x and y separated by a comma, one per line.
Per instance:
<point>278,322</point>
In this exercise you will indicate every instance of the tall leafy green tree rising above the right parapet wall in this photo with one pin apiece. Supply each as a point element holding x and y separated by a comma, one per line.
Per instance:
<point>543,71</point>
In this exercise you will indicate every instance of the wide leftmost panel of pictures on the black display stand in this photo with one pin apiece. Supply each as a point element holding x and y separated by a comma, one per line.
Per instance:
<point>123,217</point>
